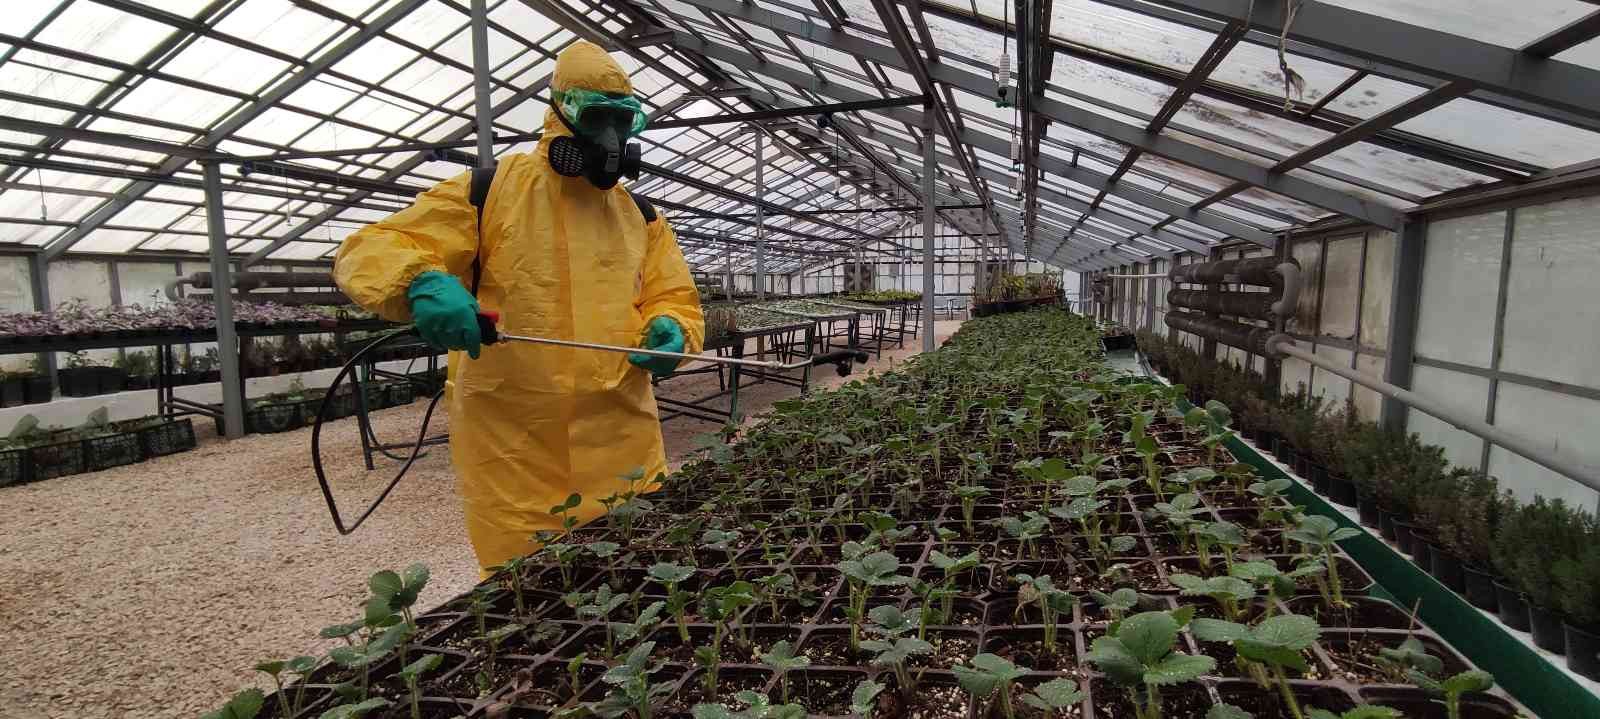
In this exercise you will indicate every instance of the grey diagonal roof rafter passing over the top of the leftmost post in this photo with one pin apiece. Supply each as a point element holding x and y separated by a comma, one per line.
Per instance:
<point>228,127</point>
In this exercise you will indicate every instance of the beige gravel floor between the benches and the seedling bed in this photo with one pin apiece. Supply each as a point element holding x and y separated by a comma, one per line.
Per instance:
<point>150,592</point>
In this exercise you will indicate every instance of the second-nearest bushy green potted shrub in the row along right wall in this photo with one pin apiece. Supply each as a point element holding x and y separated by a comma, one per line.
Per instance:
<point>1527,550</point>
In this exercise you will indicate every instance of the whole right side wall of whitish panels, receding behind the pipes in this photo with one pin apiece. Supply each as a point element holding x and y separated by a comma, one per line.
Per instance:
<point>1506,329</point>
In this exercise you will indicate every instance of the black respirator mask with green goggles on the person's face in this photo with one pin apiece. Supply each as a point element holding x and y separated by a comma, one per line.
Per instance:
<point>601,124</point>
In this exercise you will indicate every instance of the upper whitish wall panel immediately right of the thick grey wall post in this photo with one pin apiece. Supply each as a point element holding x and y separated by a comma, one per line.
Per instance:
<point>1460,276</point>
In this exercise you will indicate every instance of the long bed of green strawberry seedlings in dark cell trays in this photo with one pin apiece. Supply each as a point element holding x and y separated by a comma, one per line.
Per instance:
<point>862,497</point>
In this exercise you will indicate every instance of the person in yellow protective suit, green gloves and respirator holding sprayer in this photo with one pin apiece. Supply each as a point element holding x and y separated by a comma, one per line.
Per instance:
<point>564,254</point>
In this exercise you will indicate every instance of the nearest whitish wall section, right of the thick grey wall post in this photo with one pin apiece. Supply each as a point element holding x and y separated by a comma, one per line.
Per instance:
<point>1510,332</point>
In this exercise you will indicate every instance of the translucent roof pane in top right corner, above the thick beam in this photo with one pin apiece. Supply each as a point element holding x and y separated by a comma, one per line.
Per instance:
<point>1494,22</point>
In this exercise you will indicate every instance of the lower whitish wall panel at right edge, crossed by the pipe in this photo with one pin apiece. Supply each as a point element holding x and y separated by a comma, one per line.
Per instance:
<point>1558,424</point>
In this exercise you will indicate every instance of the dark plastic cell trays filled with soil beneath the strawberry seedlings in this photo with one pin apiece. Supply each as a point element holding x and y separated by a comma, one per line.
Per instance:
<point>783,515</point>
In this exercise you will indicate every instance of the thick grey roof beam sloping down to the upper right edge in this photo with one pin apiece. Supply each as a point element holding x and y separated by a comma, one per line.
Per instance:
<point>1436,54</point>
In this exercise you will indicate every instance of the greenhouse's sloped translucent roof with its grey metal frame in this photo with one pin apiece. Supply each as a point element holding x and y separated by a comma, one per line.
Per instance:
<point>791,137</point>
